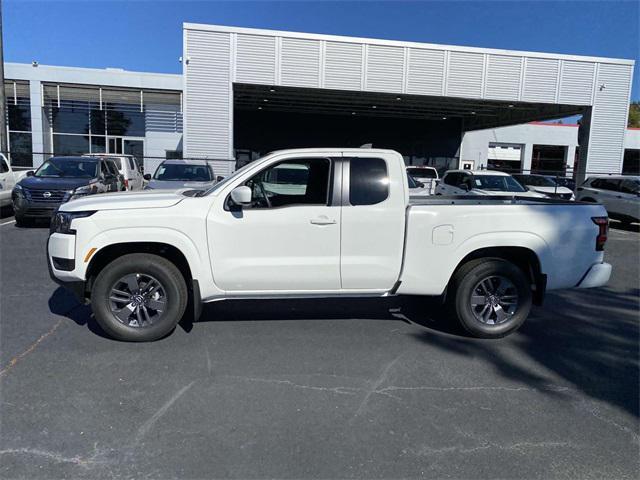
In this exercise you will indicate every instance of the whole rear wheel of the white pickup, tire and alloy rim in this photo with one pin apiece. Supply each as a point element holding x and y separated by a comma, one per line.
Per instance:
<point>491,297</point>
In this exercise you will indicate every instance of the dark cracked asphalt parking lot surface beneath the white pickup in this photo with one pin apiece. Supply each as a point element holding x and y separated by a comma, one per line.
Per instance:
<point>318,389</point>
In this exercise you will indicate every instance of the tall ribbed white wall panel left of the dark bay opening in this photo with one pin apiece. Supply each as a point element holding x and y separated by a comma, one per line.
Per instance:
<point>208,100</point>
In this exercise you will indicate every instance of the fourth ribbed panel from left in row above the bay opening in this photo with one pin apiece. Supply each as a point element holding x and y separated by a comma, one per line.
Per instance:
<point>385,69</point>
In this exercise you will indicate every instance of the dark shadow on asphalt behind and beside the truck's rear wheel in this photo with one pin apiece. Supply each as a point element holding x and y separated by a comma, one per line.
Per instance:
<point>589,338</point>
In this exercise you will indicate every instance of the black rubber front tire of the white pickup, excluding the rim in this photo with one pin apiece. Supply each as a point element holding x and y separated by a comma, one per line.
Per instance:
<point>146,264</point>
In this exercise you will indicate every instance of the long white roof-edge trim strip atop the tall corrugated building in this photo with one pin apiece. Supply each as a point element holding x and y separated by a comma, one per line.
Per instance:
<point>398,43</point>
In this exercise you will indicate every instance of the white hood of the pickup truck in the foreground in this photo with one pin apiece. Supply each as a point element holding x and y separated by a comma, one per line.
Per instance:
<point>124,201</point>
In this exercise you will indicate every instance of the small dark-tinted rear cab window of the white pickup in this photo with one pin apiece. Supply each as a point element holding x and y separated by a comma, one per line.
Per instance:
<point>368,181</point>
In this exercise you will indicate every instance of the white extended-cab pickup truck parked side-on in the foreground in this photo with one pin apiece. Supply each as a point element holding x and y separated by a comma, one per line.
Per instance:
<point>343,225</point>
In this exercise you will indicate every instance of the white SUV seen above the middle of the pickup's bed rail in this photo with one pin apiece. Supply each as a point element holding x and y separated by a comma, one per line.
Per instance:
<point>482,182</point>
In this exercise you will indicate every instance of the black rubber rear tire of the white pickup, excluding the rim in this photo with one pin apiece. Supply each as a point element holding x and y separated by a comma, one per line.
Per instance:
<point>464,284</point>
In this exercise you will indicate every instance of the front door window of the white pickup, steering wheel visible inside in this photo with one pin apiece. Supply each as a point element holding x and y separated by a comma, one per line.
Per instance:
<point>292,182</point>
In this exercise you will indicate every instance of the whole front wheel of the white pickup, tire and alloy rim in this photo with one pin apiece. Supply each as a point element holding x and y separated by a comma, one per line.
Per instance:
<point>139,297</point>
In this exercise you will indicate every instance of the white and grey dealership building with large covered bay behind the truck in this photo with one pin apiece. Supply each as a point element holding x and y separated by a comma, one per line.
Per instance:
<point>245,92</point>
